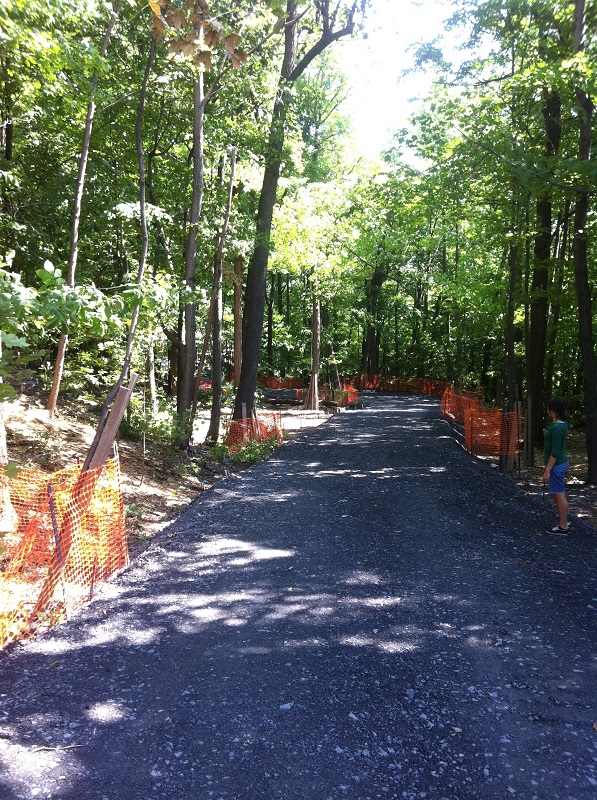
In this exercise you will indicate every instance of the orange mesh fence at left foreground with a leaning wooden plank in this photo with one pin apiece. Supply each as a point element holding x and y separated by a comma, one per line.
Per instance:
<point>67,535</point>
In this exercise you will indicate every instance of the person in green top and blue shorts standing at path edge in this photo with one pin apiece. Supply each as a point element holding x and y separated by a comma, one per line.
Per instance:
<point>556,461</point>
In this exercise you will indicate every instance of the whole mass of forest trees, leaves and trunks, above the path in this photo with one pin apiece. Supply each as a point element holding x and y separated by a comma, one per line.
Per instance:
<point>170,168</point>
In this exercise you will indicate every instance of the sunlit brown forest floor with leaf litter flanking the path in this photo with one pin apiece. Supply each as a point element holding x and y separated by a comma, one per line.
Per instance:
<point>159,481</point>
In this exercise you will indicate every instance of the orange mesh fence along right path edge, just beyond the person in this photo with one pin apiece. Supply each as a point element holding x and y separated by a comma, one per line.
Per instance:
<point>487,431</point>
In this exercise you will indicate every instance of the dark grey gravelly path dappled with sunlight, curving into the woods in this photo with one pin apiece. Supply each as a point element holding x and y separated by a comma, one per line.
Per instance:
<point>371,613</point>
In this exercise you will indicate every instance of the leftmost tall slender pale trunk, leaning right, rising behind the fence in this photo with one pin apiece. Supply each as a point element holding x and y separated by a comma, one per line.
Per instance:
<point>76,217</point>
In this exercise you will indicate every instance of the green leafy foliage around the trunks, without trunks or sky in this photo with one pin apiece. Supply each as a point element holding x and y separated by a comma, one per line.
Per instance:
<point>409,256</point>
